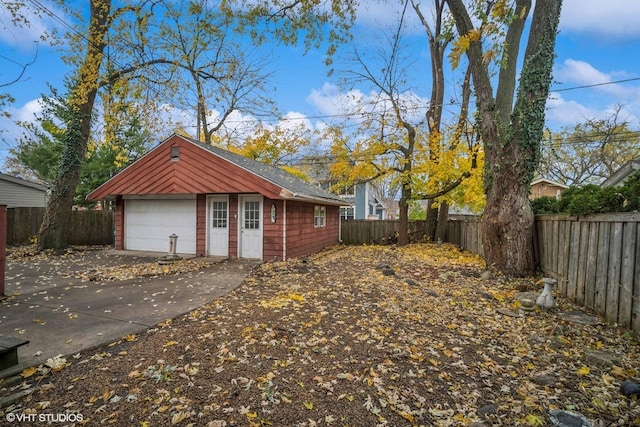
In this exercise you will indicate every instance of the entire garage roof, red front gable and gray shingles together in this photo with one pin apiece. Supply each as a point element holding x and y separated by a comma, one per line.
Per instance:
<point>205,169</point>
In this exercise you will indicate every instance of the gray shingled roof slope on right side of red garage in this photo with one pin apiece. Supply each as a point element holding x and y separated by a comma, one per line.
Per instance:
<point>298,187</point>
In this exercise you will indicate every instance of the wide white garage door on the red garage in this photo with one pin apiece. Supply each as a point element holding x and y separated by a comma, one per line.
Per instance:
<point>149,223</point>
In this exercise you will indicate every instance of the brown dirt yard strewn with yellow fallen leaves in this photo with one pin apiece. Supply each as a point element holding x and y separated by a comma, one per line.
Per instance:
<point>354,336</point>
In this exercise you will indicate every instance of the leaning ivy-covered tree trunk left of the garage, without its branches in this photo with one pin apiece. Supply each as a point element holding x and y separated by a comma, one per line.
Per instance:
<point>55,225</point>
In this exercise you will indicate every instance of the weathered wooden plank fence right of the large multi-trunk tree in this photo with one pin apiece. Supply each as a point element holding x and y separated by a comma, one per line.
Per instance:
<point>596,260</point>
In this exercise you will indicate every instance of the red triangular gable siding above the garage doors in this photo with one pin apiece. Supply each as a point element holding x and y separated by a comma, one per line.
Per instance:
<point>197,171</point>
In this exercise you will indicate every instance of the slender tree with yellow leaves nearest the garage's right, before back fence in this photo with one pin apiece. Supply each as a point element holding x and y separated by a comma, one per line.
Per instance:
<point>391,133</point>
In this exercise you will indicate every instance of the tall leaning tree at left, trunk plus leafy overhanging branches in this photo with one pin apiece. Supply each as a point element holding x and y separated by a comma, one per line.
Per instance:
<point>127,40</point>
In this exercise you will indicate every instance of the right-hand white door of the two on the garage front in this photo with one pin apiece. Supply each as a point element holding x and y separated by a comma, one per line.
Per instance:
<point>250,227</point>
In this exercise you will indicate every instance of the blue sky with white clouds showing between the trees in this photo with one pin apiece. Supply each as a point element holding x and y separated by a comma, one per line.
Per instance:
<point>598,45</point>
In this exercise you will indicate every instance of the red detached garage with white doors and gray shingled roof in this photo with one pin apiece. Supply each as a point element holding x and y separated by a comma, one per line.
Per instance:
<point>218,204</point>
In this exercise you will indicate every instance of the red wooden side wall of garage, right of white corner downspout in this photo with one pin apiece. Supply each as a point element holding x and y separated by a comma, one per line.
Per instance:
<point>303,238</point>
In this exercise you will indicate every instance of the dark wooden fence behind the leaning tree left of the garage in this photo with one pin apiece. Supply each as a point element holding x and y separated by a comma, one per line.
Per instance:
<point>87,227</point>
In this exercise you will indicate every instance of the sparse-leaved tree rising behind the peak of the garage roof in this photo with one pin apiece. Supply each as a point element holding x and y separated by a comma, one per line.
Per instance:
<point>210,65</point>
